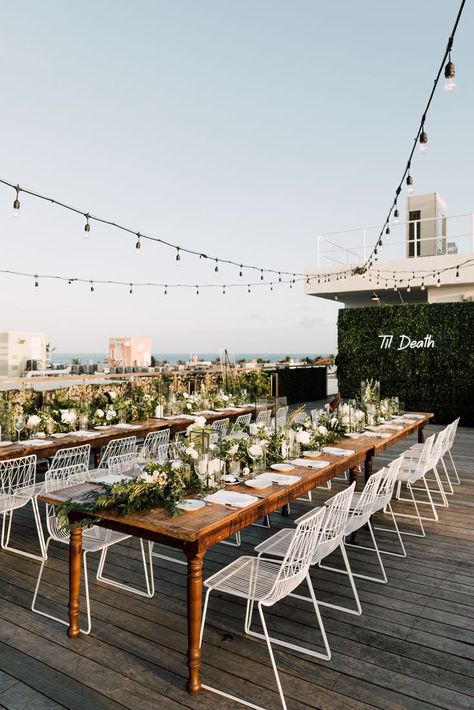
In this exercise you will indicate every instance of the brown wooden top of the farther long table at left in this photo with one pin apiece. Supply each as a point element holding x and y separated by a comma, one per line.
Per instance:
<point>100,438</point>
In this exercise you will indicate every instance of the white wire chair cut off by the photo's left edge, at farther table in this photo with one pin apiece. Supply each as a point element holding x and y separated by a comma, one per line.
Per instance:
<point>17,489</point>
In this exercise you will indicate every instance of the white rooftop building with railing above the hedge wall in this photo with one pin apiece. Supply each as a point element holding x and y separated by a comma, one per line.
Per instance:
<point>417,263</point>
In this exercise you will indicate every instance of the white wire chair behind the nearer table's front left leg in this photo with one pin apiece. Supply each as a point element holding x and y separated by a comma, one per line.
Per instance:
<point>94,539</point>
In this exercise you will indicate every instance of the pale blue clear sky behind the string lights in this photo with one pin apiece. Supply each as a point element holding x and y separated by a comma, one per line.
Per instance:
<point>240,129</point>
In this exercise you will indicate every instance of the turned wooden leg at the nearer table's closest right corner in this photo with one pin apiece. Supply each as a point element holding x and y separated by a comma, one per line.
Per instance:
<point>194,621</point>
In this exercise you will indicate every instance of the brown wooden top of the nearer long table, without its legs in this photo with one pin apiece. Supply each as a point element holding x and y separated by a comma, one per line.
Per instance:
<point>215,522</point>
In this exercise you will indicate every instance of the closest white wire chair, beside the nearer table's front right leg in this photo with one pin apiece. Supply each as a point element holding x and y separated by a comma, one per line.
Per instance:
<point>265,582</point>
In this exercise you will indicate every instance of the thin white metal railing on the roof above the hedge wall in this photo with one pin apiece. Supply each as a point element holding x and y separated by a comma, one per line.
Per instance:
<point>444,235</point>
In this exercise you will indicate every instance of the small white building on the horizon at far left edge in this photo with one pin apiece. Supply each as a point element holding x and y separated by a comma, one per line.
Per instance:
<point>20,351</point>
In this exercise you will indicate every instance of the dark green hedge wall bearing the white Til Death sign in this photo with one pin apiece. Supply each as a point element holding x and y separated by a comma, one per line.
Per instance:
<point>438,379</point>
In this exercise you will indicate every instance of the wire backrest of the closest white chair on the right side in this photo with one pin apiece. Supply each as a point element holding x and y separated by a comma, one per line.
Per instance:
<point>297,560</point>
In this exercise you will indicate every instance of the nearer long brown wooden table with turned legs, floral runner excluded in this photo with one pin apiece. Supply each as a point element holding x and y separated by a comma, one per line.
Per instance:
<point>195,532</point>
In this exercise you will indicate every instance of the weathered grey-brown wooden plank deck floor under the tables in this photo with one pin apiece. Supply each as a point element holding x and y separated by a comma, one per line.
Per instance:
<point>412,648</point>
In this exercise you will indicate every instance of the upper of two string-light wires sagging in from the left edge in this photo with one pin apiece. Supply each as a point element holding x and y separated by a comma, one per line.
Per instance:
<point>141,235</point>
